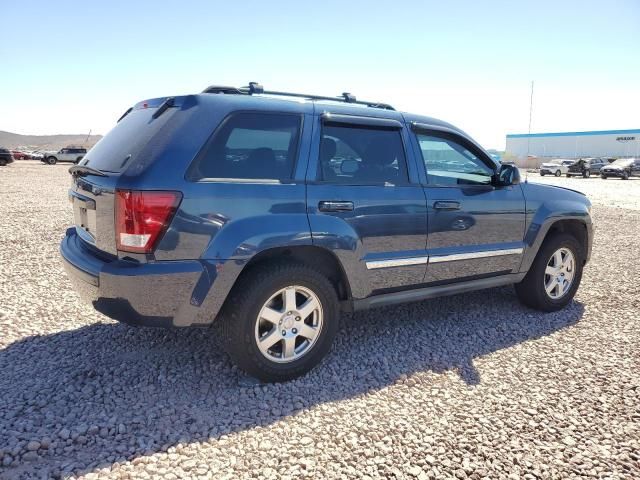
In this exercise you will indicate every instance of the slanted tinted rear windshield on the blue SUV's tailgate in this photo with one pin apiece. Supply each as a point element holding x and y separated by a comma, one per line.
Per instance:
<point>114,152</point>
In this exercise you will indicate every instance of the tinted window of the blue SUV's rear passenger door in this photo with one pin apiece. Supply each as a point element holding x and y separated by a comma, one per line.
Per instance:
<point>361,156</point>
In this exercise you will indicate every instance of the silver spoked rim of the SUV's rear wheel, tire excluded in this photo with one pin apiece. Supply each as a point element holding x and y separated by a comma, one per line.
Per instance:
<point>289,323</point>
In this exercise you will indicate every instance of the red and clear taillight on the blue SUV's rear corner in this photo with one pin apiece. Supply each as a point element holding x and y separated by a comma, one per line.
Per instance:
<point>142,217</point>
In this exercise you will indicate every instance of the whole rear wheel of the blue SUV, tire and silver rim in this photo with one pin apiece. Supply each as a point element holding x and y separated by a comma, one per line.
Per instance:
<point>280,321</point>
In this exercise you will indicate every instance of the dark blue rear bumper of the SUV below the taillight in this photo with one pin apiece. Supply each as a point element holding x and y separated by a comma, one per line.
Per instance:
<point>159,294</point>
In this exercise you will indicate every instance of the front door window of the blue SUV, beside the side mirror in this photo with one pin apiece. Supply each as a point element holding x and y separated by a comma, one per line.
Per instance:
<point>450,163</point>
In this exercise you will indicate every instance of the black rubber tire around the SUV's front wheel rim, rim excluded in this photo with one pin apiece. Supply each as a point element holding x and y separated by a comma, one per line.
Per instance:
<point>531,291</point>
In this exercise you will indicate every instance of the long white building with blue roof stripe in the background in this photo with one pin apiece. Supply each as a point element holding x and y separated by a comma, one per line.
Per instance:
<point>583,144</point>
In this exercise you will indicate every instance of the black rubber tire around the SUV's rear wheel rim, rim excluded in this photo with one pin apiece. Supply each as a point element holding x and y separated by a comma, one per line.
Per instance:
<point>242,308</point>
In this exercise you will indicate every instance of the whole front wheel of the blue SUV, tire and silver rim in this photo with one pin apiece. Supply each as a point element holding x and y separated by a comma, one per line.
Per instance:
<point>554,276</point>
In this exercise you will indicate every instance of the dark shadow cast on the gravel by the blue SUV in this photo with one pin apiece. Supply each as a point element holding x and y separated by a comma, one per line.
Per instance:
<point>108,393</point>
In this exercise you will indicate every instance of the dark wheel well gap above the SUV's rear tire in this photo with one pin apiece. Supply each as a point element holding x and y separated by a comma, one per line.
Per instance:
<point>317,258</point>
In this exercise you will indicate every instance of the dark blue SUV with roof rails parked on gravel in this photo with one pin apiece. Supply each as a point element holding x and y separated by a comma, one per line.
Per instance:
<point>265,214</point>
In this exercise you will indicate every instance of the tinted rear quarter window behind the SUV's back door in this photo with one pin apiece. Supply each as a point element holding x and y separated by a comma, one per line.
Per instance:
<point>250,146</point>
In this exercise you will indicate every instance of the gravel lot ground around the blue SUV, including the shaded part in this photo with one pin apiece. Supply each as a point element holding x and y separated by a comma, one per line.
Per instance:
<point>471,386</point>
